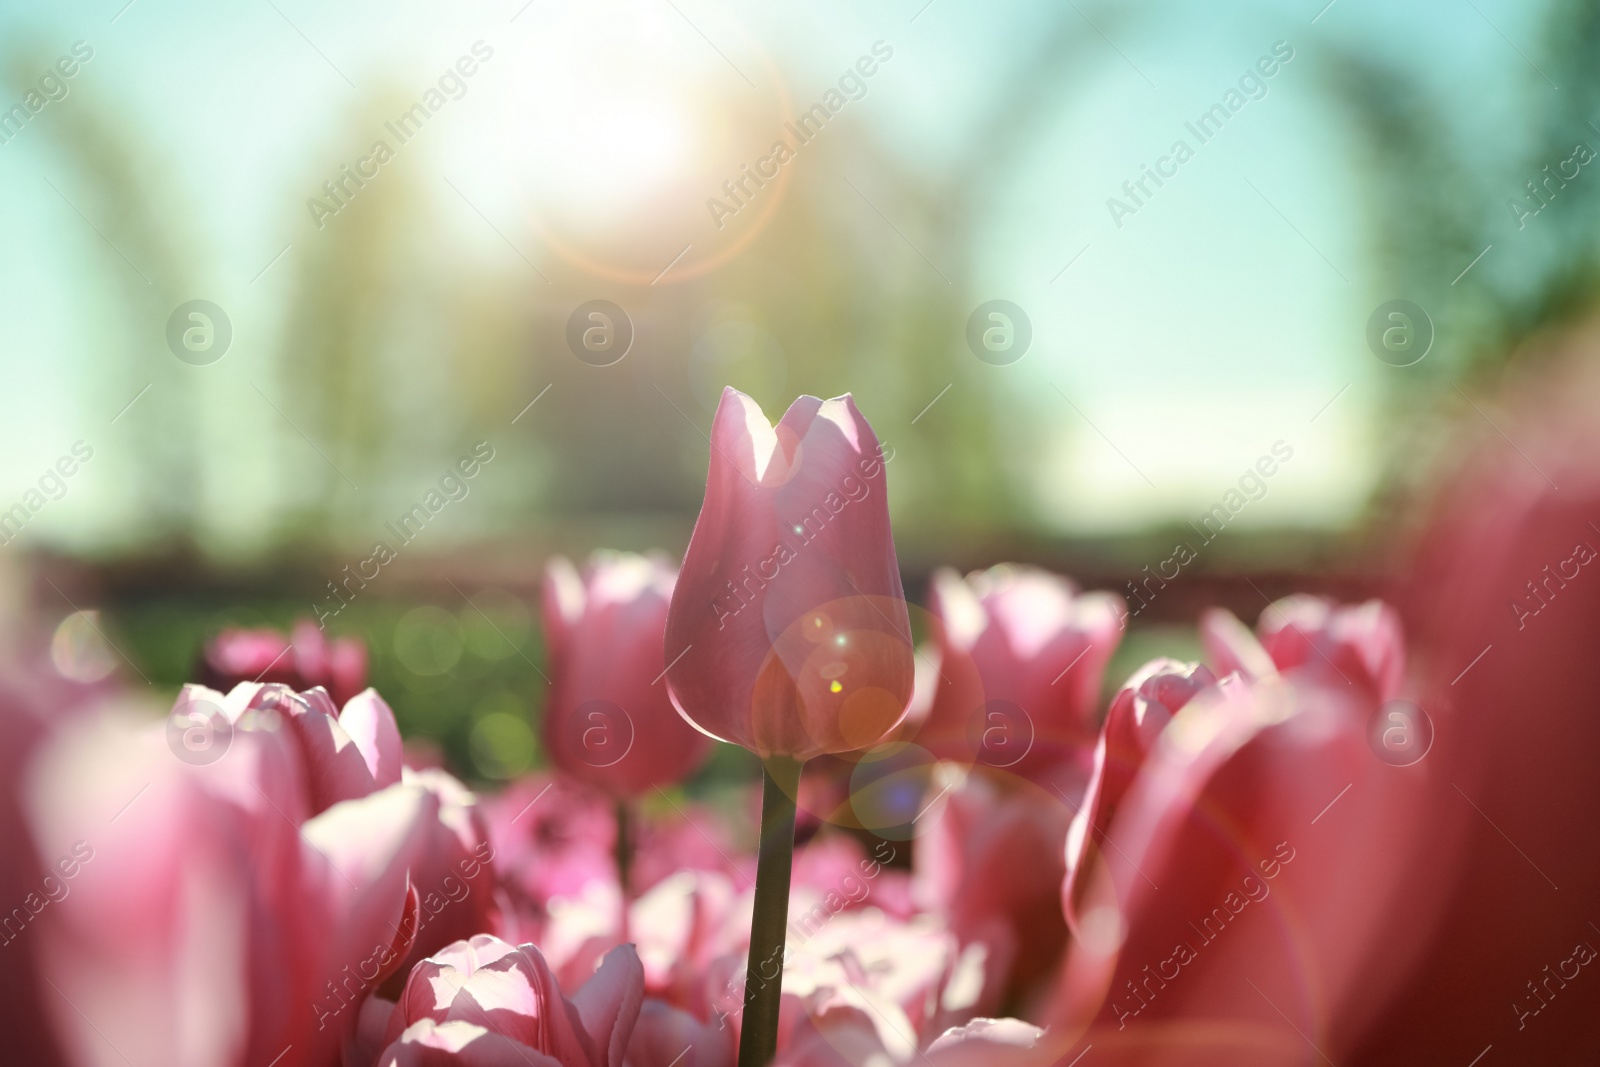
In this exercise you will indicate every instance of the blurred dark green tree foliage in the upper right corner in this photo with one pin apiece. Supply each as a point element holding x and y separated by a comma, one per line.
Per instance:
<point>1446,196</point>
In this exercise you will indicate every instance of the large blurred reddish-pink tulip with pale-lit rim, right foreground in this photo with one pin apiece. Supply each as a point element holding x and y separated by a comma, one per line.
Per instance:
<point>1242,903</point>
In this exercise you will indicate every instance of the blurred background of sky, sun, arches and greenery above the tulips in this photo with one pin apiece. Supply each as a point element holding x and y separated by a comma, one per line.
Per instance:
<point>1434,153</point>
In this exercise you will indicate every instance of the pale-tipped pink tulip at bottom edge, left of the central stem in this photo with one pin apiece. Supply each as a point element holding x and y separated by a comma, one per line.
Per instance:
<point>486,1002</point>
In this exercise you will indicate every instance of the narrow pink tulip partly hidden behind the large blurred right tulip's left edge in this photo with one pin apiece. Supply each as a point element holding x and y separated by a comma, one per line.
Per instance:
<point>1138,716</point>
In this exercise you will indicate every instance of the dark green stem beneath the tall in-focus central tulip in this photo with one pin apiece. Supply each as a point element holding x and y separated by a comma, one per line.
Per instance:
<point>764,972</point>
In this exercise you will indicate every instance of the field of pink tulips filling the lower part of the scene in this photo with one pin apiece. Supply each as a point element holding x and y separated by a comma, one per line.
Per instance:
<point>982,844</point>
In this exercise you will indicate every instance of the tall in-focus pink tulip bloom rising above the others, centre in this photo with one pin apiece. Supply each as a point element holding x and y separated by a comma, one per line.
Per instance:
<point>788,631</point>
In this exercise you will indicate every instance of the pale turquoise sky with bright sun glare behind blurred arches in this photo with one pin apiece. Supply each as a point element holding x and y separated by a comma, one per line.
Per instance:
<point>1218,319</point>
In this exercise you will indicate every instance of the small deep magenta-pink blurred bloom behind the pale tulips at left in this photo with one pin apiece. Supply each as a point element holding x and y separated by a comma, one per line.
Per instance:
<point>303,661</point>
